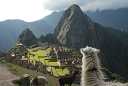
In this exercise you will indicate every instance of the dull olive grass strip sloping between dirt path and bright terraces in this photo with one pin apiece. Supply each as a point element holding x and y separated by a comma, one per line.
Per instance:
<point>19,71</point>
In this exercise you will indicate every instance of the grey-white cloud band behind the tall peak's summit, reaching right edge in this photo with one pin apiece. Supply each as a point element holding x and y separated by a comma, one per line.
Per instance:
<point>85,4</point>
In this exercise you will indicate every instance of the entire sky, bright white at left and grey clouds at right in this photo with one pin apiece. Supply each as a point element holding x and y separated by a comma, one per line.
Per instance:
<point>31,10</point>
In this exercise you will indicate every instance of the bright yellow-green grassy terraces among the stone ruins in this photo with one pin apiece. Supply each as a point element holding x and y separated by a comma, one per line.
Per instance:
<point>38,54</point>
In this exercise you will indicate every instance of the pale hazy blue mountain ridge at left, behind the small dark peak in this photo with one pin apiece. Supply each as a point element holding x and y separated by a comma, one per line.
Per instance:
<point>10,30</point>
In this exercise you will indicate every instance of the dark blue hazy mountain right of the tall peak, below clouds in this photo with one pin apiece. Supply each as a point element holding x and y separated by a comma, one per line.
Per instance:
<point>113,18</point>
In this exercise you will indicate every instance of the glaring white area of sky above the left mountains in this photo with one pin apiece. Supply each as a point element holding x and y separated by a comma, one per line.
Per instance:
<point>28,10</point>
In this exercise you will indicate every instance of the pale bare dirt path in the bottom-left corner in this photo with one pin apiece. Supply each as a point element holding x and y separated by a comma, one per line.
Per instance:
<point>6,76</point>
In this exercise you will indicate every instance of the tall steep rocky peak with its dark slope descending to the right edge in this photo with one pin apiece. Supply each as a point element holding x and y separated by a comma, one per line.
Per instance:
<point>76,30</point>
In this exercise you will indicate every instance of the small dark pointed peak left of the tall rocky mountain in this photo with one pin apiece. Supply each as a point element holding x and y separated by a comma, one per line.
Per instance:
<point>27,38</point>
